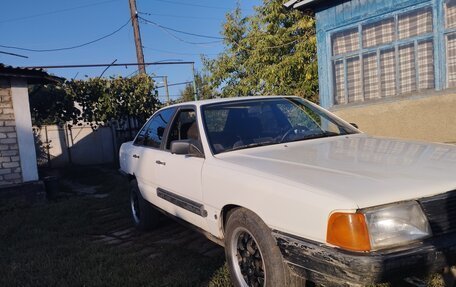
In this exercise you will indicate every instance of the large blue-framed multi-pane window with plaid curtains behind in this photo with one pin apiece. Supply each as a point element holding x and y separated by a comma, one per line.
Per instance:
<point>385,58</point>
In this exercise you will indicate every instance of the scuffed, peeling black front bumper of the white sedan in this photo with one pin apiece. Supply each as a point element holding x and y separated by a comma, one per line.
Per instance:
<point>335,267</point>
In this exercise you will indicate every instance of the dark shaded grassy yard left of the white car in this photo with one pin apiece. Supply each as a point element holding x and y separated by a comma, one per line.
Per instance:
<point>53,245</point>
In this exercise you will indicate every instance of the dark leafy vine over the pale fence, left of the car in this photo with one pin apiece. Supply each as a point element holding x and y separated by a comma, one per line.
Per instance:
<point>96,101</point>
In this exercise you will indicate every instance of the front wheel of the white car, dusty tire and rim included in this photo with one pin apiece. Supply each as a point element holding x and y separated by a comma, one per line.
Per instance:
<point>248,241</point>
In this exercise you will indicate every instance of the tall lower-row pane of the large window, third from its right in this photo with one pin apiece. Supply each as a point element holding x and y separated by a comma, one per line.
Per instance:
<point>387,72</point>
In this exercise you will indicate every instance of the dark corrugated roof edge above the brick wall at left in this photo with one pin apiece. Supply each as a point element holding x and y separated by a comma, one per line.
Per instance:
<point>33,76</point>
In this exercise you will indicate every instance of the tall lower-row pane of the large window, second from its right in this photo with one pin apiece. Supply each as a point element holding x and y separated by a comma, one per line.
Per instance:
<point>407,71</point>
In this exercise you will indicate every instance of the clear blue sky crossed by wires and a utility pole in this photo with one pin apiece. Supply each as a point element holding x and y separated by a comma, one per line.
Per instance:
<point>52,24</point>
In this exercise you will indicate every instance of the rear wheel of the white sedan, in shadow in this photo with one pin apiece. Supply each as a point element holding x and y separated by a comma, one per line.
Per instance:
<point>145,216</point>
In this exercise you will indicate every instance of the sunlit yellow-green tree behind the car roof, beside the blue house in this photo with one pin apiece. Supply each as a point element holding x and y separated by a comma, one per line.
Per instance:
<point>271,52</point>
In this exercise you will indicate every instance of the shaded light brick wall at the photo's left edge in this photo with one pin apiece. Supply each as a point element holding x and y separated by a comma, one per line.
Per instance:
<point>10,166</point>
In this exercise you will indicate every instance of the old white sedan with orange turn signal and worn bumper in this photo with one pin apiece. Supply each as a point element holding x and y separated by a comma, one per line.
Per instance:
<point>292,191</point>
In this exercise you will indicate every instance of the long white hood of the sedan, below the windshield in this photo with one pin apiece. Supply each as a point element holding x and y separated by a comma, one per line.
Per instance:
<point>366,170</point>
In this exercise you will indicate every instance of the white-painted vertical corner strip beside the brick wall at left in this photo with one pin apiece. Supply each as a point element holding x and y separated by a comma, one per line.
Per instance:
<point>21,105</point>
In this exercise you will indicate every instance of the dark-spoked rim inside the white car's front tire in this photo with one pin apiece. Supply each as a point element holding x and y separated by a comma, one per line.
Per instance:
<point>247,259</point>
